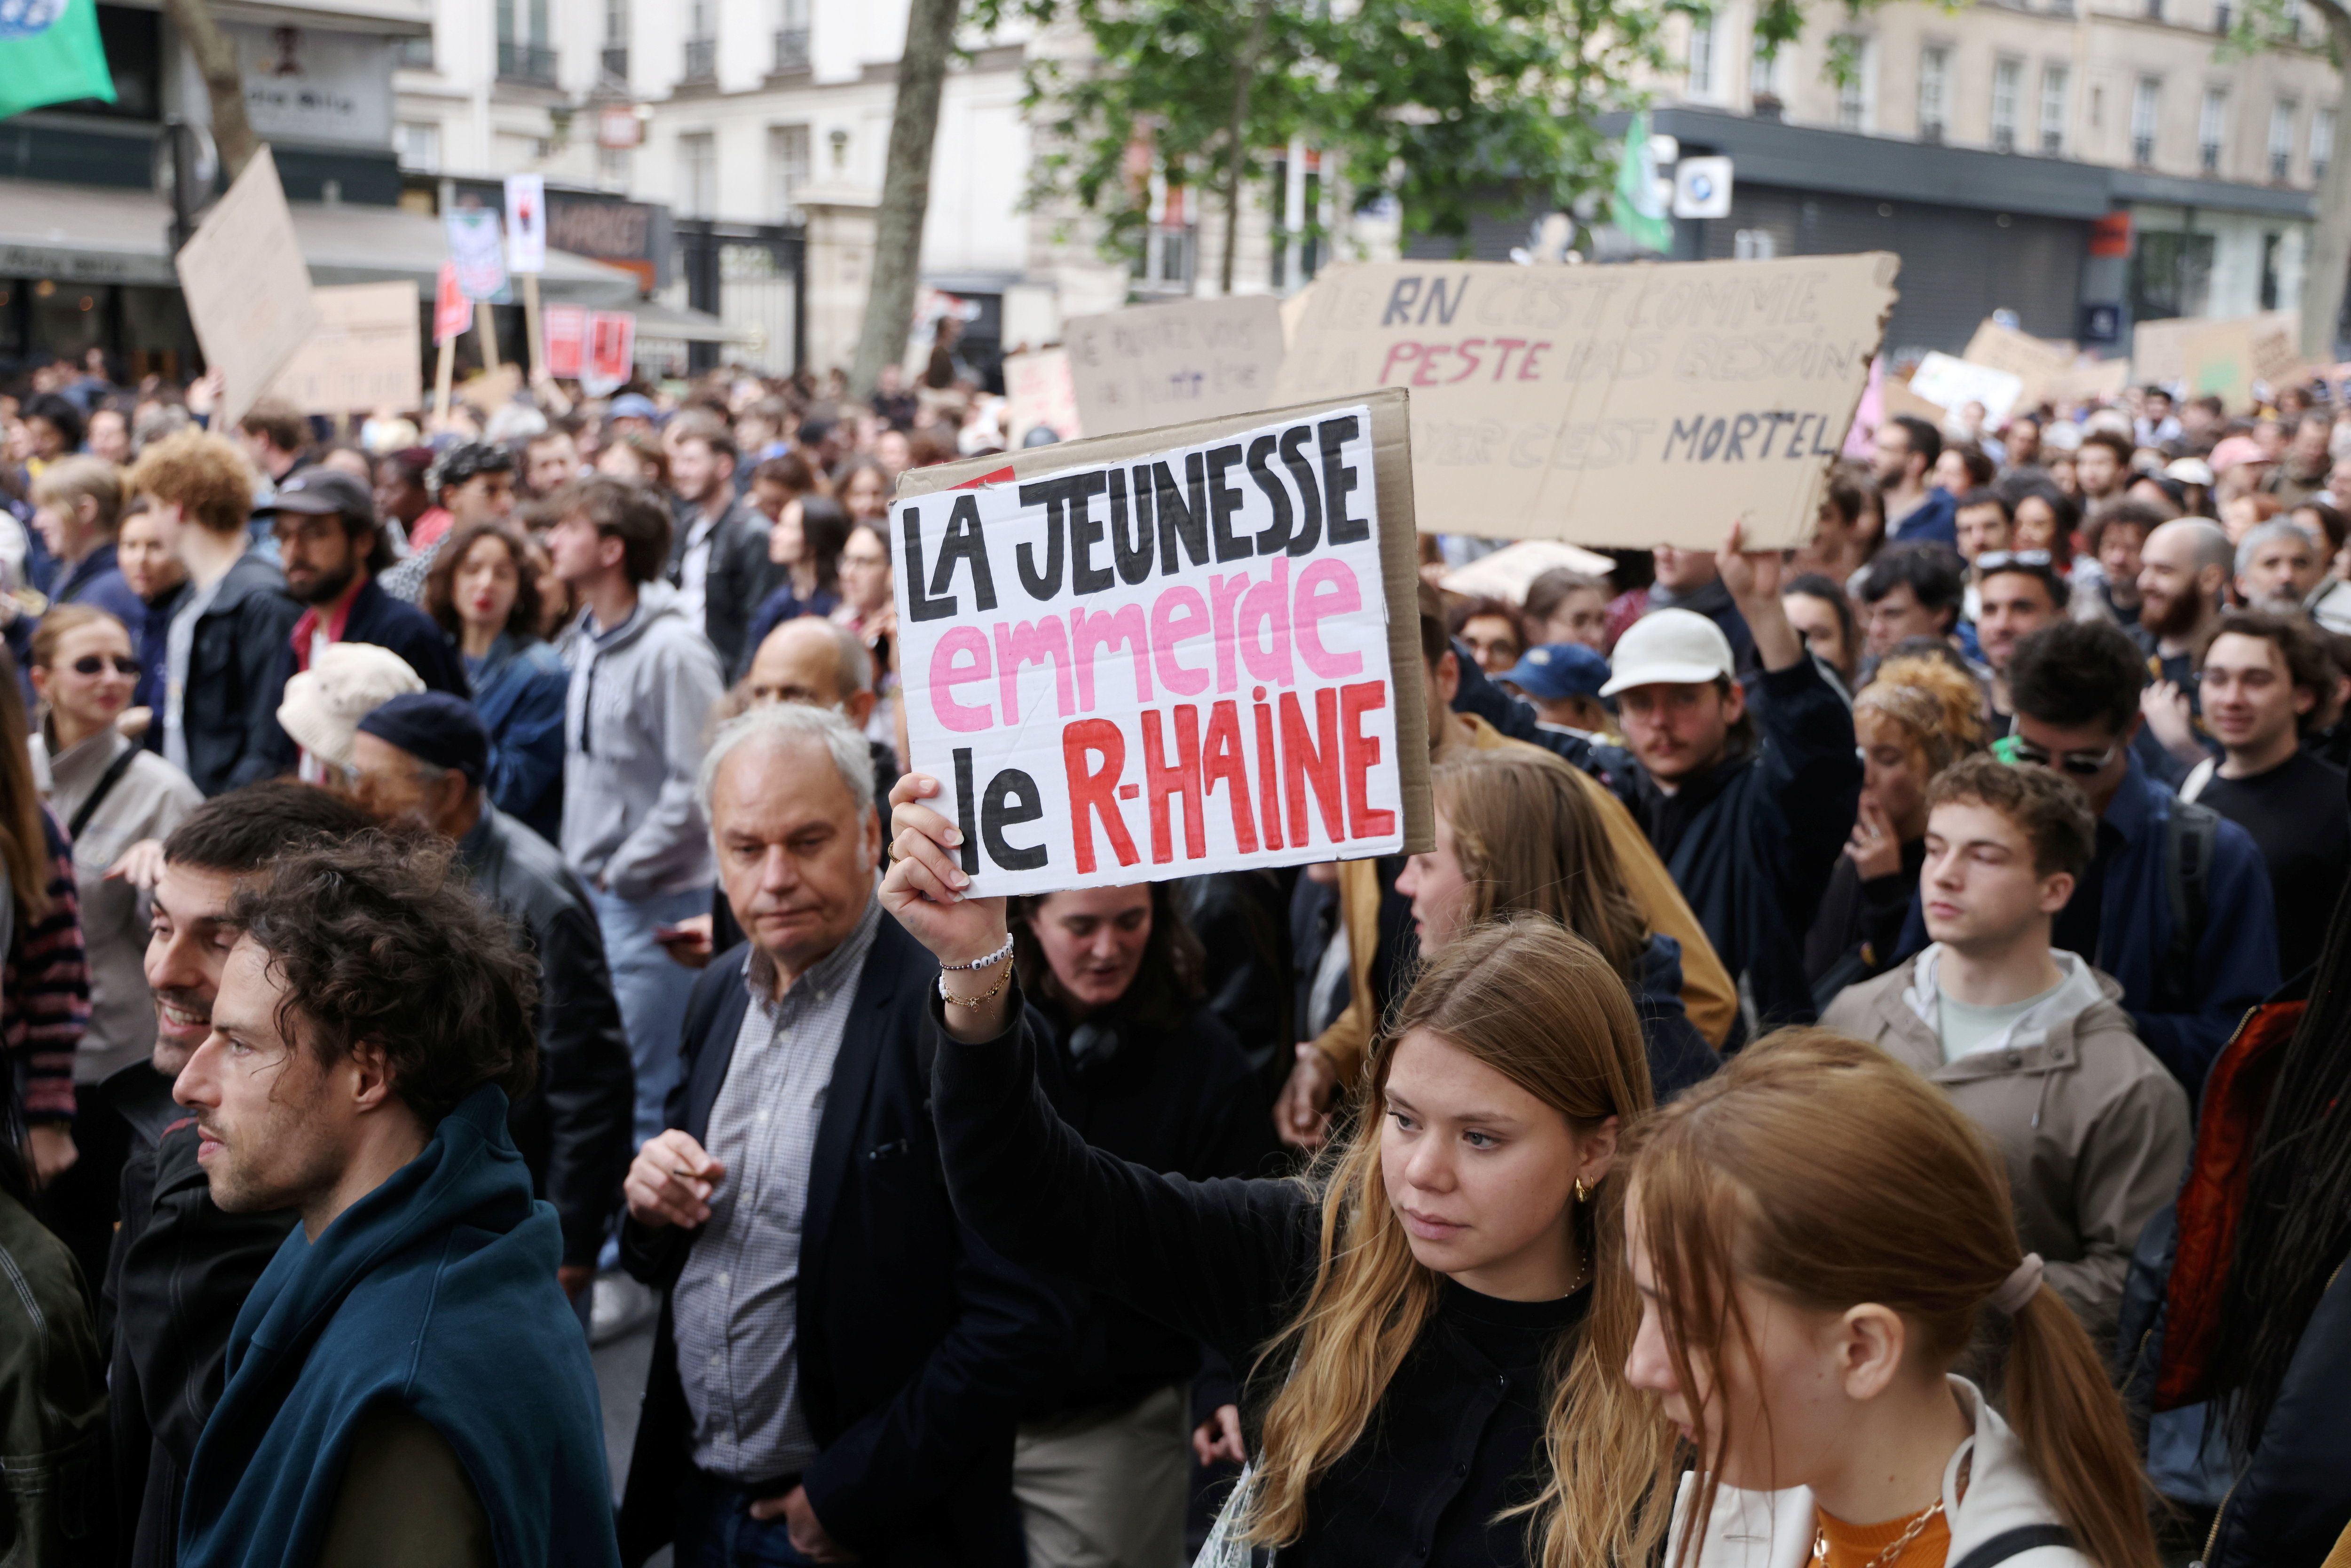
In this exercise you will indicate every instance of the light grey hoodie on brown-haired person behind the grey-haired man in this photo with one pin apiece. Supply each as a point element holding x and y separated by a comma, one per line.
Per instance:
<point>634,744</point>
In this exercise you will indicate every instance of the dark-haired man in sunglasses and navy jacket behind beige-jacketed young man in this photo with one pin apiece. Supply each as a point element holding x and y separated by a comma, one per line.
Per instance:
<point>2176,902</point>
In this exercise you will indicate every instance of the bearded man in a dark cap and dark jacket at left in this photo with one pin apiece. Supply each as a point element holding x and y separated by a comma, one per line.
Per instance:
<point>330,549</point>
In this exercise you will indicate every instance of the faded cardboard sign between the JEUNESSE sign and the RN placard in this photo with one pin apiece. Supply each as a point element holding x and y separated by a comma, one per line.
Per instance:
<point>1153,366</point>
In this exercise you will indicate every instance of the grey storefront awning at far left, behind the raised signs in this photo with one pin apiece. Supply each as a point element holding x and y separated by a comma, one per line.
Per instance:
<point>81,234</point>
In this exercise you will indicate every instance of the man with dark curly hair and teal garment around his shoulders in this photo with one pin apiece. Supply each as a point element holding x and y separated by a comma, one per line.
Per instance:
<point>406,1383</point>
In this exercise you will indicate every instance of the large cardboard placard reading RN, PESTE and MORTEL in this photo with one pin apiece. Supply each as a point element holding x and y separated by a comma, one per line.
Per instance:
<point>1609,406</point>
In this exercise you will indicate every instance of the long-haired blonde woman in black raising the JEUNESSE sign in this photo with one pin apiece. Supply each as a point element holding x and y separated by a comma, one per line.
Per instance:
<point>1433,1322</point>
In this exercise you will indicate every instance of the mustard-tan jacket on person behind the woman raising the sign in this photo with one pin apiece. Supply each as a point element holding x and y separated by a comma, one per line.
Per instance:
<point>1706,986</point>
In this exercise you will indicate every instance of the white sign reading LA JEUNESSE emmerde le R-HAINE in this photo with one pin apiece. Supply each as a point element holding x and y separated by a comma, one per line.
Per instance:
<point>1170,652</point>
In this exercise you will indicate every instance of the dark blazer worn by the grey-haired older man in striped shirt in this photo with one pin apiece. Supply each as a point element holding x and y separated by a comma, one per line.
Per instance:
<point>918,1346</point>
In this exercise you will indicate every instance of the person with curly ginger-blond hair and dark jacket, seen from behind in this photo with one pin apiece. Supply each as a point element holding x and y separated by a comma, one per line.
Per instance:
<point>220,704</point>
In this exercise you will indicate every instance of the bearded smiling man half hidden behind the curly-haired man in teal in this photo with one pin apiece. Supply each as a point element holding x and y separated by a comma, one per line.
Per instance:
<point>180,1268</point>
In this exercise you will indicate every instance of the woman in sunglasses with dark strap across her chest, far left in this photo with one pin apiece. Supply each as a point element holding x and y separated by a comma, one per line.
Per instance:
<point>109,793</point>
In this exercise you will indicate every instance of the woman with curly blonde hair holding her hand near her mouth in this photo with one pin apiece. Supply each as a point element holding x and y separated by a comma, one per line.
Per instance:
<point>1913,721</point>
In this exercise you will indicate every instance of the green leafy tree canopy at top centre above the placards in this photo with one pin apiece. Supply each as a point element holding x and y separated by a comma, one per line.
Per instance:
<point>1435,105</point>
